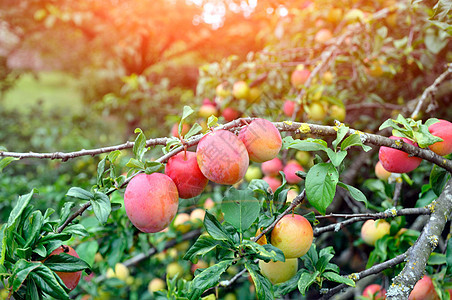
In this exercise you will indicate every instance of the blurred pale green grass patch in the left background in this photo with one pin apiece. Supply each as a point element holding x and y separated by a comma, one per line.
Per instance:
<point>54,89</point>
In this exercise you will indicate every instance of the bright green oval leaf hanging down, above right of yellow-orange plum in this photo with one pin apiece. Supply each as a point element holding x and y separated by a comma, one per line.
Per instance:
<point>321,186</point>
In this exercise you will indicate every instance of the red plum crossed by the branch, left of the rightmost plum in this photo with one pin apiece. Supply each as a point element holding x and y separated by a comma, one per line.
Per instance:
<point>397,161</point>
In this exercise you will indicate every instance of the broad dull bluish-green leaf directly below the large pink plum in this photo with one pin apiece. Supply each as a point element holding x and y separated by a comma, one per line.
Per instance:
<point>240,208</point>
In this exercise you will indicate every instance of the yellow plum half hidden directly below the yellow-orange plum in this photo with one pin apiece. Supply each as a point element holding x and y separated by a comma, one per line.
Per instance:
<point>279,271</point>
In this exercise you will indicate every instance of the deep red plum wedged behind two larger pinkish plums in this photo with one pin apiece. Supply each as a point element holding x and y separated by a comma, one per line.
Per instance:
<point>183,169</point>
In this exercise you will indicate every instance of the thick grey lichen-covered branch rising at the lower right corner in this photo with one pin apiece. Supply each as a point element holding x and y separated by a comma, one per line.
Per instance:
<point>419,253</point>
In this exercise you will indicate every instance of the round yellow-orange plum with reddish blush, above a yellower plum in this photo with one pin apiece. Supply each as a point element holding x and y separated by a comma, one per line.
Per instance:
<point>293,234</point>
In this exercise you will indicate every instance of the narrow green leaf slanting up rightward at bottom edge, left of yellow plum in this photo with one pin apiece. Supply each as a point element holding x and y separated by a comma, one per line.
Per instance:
<point>208,278</point>
